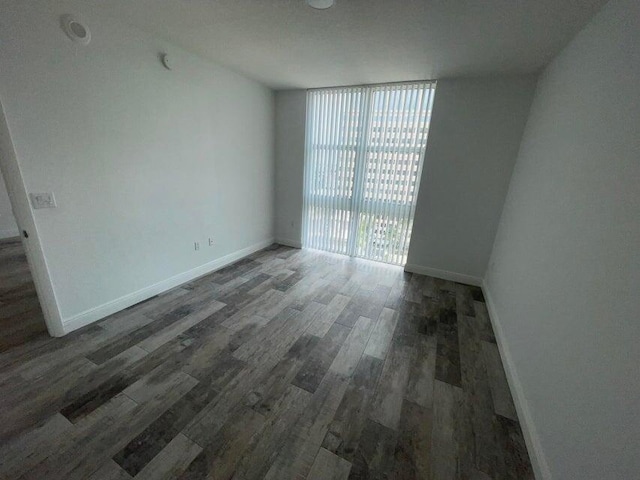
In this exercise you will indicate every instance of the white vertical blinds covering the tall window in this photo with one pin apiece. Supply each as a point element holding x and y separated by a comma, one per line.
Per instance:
<point>363,159</point>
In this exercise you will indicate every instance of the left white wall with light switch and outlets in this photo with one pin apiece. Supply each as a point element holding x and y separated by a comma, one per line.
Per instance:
<point>142,161</point>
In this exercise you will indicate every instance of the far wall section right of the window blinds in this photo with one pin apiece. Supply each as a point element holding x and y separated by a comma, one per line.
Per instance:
<point>475,132</point>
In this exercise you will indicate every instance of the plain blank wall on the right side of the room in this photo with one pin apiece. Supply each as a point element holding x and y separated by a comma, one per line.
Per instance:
<point>564,277</point>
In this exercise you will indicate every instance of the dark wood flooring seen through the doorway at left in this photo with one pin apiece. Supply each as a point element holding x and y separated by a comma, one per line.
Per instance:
<point>20,315</point>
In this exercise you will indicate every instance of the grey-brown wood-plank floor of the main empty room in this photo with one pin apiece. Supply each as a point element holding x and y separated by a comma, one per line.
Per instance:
<point>289,364</point>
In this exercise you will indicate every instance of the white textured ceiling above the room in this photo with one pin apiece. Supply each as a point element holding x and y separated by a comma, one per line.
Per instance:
<point>286,44</point>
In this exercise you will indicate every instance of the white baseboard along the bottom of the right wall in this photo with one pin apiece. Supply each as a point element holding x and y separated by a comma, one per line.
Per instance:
<point>531,438</point>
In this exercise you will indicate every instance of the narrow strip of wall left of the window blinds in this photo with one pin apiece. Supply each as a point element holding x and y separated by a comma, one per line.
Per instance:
<point>291,110</point>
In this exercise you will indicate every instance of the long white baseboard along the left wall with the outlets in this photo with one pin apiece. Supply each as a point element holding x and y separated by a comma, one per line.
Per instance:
<point>109,308</point>
